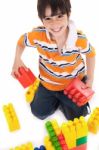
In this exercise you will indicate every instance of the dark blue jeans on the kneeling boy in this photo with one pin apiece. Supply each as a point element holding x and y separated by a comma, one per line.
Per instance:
<point>46,102</point>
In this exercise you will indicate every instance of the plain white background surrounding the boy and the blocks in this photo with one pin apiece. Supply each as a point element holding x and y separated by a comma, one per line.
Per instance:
<point>16,18</point>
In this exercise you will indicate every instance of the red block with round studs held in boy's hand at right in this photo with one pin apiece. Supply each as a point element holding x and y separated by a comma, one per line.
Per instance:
<point>78,92</point>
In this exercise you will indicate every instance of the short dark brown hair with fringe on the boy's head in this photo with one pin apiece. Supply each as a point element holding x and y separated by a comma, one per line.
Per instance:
<point>63,6</point>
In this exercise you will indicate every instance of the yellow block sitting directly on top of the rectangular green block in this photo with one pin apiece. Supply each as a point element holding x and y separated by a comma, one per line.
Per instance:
<point>81,127</point>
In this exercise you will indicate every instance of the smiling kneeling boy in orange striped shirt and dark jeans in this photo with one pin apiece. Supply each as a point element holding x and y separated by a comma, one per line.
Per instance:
<point>60,47</point>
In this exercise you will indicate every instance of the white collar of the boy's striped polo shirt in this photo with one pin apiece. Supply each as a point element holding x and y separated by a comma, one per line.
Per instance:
<point>71,39</point>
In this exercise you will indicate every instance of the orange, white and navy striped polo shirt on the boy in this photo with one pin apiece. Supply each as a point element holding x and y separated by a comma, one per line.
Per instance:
<point>56,69</point>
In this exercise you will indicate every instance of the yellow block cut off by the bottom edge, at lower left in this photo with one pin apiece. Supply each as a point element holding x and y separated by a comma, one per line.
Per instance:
<point>27,146</point>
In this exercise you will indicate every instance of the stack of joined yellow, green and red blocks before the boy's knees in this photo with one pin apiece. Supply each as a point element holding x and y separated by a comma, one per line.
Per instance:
<point>71,136</point>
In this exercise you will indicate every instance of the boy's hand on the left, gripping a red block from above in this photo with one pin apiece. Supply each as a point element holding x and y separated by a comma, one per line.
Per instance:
<point>16,66</point>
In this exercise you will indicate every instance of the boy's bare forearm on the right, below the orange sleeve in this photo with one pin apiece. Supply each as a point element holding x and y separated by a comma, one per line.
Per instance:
<point>90,63</point>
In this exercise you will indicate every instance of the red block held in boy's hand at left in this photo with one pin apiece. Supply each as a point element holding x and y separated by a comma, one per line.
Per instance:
<point>26,77</point>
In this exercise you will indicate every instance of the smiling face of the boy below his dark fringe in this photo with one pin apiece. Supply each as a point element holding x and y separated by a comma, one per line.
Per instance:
<point>56,25</point>
